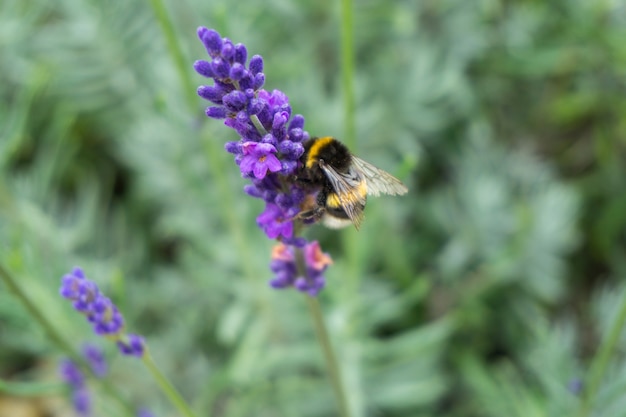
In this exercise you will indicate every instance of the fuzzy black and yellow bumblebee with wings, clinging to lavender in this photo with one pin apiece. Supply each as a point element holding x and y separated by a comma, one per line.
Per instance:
<point>344,181</point>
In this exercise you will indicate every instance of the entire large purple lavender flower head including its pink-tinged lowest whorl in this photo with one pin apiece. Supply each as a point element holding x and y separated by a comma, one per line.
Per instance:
<point>267,154</point>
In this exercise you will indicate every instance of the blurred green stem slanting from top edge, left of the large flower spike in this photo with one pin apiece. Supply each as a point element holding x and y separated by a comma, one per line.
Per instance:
<point>182,66</point>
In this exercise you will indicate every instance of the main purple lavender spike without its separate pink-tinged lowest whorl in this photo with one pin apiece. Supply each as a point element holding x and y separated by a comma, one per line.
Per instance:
<point>271,139</point>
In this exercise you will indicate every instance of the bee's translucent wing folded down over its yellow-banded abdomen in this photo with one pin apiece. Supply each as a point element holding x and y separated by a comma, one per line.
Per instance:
<point>347,186</point>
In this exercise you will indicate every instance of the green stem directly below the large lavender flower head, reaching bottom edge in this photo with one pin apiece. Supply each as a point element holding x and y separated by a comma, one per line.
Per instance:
<point>329,356</point>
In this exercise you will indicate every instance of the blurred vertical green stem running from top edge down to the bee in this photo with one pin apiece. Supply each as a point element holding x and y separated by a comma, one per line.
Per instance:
<point>347,72</point>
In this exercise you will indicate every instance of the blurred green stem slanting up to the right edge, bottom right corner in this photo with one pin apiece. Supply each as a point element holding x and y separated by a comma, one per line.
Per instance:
<point>600,362</point>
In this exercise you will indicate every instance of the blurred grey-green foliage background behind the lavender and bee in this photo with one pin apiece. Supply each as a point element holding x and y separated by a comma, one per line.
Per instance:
<point>485,291</point>
